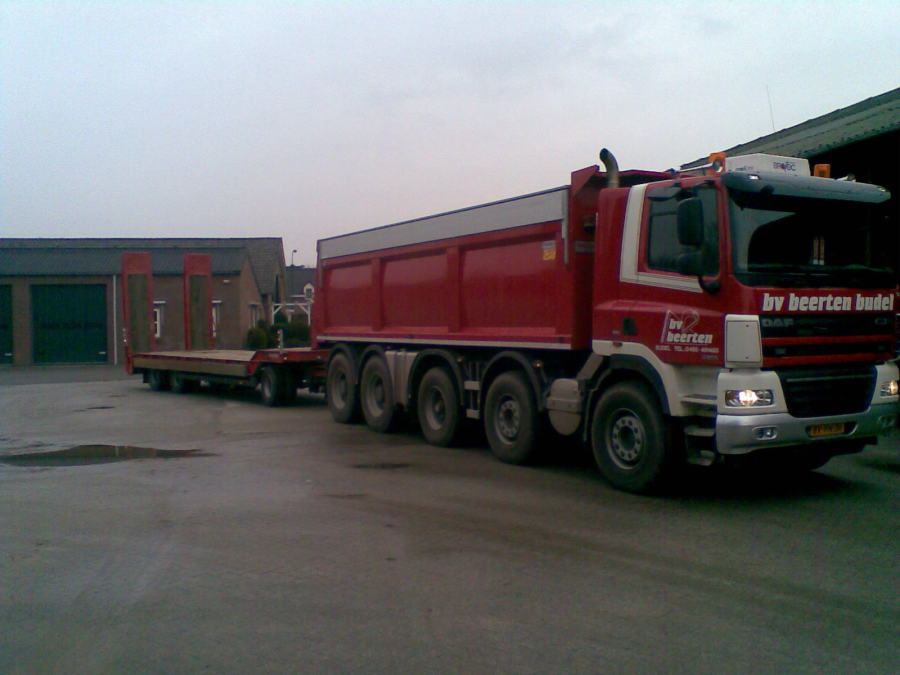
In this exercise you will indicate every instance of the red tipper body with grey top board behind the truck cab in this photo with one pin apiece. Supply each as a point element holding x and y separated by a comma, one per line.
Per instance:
<point>514,273</point>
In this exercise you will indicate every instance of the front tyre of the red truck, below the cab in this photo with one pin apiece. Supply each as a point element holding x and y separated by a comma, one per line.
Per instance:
<point>630,438</point>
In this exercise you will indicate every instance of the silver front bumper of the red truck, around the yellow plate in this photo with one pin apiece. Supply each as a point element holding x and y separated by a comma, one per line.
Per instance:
<point>741,434</point>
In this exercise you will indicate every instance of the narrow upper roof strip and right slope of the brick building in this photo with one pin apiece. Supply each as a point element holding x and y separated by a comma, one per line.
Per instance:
<point>266,253</point>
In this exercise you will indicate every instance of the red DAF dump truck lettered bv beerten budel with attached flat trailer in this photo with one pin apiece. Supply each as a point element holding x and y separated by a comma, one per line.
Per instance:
<point>744,308</point>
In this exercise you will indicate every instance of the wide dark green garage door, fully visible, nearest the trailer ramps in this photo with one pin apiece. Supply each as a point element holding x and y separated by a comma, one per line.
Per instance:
<point>69,323</point>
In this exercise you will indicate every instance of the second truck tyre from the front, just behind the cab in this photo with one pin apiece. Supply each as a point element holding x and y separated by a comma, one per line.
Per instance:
<point>510,419</point>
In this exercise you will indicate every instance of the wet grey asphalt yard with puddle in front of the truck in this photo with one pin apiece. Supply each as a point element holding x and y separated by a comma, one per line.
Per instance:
<point>207,533</point>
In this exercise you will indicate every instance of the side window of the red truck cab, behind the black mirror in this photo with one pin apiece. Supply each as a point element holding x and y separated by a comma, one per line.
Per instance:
<point>663,248</point>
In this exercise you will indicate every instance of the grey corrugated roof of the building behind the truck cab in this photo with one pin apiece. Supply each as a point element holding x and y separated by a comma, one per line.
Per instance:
<point>872,117</point>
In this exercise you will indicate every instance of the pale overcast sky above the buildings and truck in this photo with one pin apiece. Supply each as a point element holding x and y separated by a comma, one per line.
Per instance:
<point>309,119</point>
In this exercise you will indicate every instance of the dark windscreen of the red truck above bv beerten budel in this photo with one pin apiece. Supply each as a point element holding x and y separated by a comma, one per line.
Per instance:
<point>801,242</point>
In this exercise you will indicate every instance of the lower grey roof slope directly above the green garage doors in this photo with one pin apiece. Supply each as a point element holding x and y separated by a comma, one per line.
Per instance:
<point>107,261</point>
